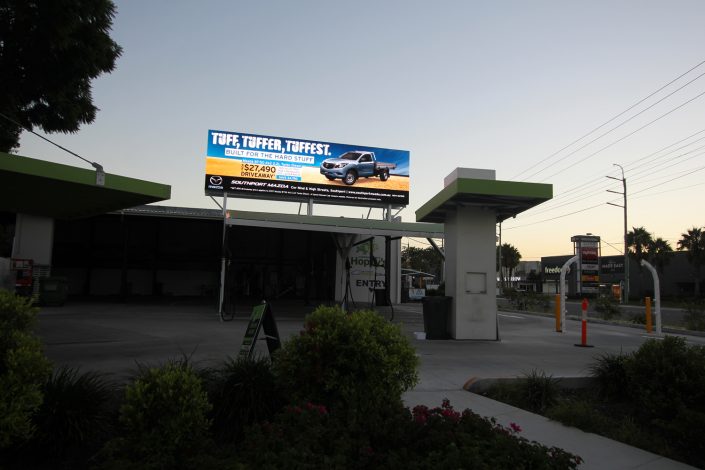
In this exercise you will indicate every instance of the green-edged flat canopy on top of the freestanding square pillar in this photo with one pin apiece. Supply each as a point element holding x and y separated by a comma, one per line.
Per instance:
<point>506,198</point>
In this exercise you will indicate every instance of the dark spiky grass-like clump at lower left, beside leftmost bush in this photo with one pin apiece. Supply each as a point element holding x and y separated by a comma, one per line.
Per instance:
<point>75,419</point>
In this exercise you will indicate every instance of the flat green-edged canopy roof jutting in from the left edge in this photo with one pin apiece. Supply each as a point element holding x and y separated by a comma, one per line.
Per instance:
<point>49,189</point>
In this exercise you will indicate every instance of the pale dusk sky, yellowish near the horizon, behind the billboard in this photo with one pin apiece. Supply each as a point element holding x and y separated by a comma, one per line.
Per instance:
<point>510,86</point>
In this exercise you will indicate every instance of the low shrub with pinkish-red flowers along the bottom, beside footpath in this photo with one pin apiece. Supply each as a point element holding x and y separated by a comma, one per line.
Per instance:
<point>307,437</point>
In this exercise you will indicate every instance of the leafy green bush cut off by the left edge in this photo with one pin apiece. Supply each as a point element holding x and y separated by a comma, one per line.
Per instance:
<point>23,368</point>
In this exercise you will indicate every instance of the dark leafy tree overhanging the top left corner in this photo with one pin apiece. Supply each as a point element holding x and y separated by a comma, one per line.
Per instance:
<point>50,50</point>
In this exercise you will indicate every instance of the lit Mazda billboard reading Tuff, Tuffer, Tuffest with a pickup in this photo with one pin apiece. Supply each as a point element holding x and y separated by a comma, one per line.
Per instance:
<point>265,167</point>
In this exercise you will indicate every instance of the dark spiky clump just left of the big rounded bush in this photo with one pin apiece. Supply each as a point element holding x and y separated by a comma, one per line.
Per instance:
<point>242,392</point>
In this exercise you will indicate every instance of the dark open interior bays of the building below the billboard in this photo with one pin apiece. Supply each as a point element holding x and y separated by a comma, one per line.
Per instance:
<point>126,256</point>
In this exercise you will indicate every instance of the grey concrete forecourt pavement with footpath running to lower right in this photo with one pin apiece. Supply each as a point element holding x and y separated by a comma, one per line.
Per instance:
<point>113,338</point>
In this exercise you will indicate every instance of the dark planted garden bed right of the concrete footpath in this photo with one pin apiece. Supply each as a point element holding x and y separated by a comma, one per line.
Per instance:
<point>653,399</point>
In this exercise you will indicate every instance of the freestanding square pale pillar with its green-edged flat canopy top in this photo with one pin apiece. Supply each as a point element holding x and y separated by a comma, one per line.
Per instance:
<point>470,205</point>
